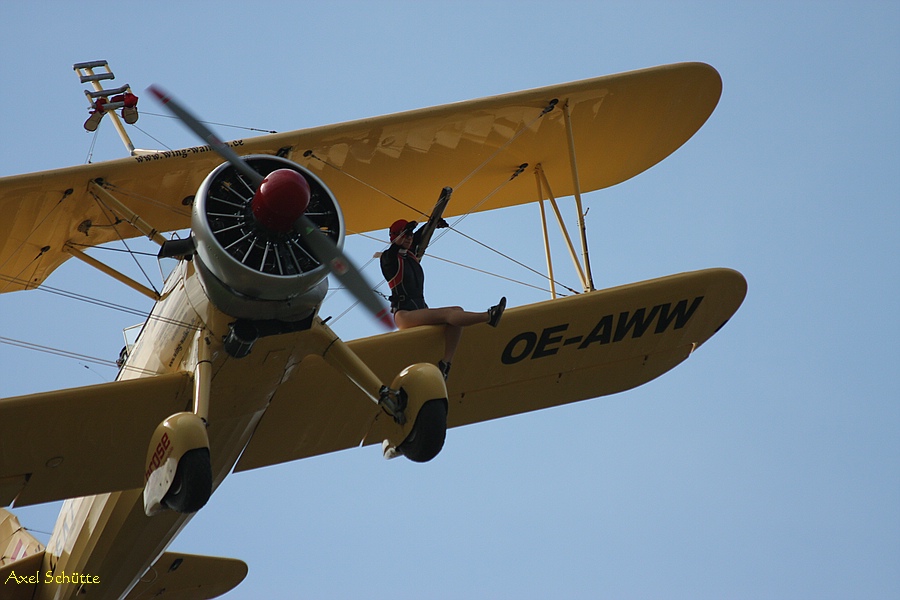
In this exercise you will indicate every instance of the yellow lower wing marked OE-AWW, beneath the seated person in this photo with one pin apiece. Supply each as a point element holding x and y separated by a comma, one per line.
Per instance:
<point>542,355</point>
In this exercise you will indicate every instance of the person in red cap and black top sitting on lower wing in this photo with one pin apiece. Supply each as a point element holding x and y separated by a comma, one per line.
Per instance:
<point>400,267</point>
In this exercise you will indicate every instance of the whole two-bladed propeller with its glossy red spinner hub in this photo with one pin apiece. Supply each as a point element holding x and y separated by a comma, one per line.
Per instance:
<point>279,204</point>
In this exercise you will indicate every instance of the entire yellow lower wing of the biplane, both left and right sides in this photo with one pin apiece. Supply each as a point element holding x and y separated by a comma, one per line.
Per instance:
<point>92,440</point>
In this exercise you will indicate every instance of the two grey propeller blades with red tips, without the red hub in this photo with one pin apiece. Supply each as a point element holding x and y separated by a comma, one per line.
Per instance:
<point>325,251</point>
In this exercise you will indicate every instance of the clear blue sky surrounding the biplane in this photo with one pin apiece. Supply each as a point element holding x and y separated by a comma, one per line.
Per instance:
<point>766,466</point>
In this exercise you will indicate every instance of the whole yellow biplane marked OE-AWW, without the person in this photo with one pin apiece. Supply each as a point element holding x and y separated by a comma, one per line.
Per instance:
<point>234,369</point>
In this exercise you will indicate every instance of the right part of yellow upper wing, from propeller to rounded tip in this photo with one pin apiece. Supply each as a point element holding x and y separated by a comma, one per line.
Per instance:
<point>622,125</point>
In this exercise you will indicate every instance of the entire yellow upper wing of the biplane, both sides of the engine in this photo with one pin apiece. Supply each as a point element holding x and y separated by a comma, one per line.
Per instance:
<point>622,125</point>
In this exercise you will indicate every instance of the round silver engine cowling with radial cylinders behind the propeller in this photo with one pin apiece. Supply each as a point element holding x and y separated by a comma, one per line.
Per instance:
<point>249,267</point>
